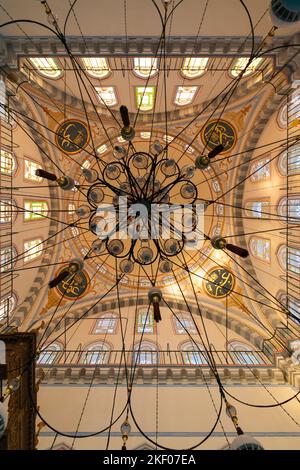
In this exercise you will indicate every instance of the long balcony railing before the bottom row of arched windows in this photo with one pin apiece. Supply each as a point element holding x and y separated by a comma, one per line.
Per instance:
<point>162,358</point>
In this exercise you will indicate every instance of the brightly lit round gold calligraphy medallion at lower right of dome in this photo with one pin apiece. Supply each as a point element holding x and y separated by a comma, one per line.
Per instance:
<point>219,282</point>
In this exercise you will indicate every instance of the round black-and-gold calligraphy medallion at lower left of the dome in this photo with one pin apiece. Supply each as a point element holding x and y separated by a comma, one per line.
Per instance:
<point>73,286</point>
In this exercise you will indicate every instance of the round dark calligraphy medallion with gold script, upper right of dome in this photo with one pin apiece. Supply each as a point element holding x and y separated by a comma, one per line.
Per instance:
<point>219,132</point>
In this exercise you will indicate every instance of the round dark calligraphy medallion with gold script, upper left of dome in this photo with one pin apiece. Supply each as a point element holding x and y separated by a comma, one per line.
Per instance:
<point>72,136</point>
